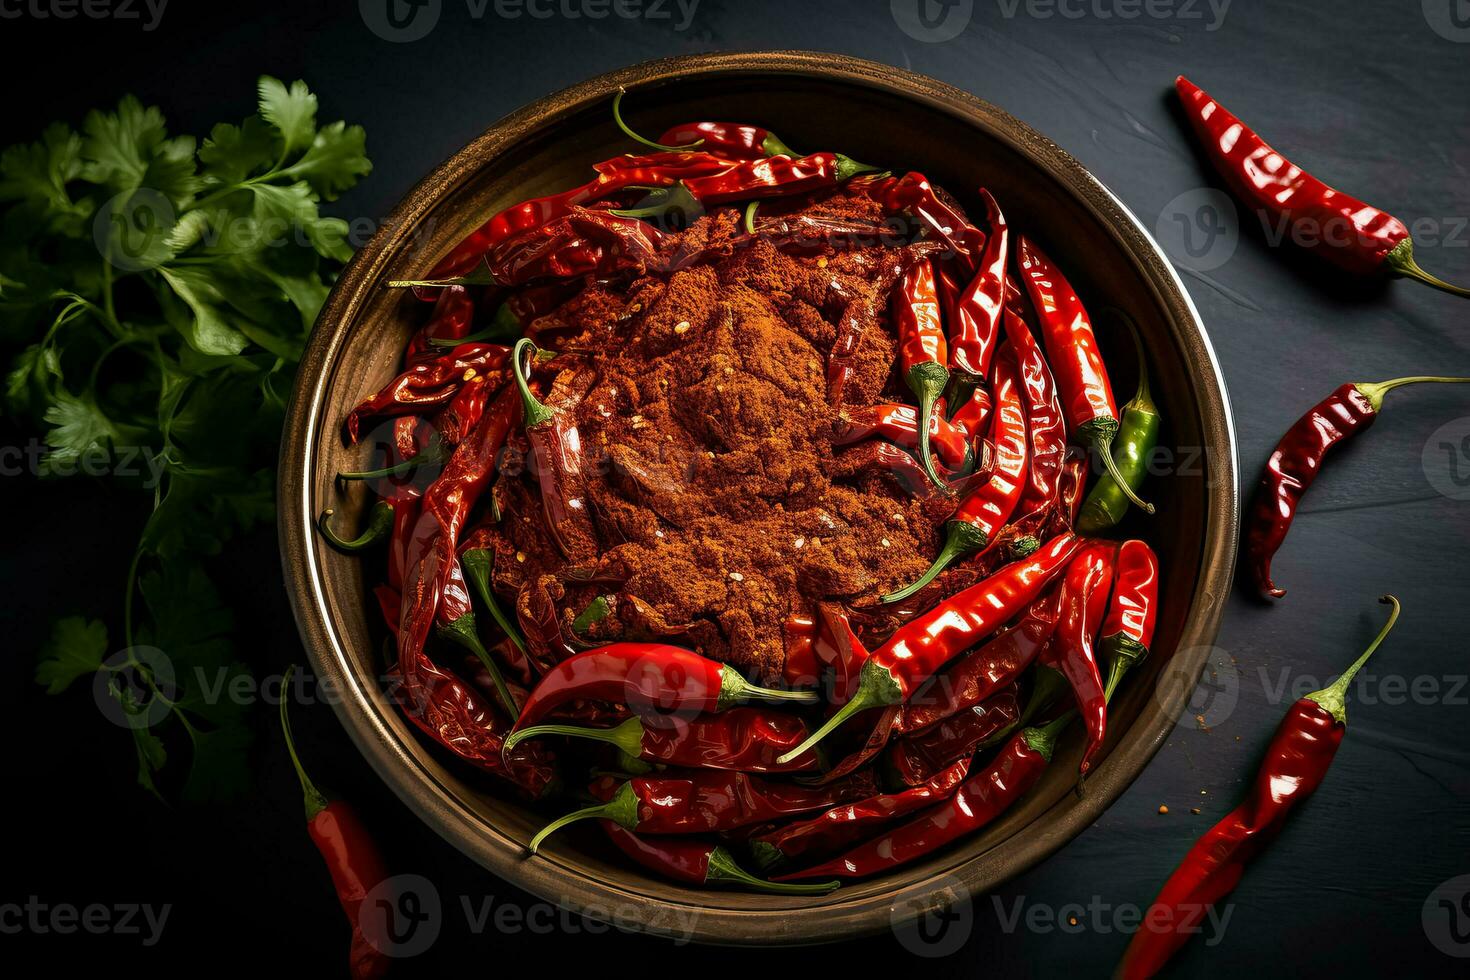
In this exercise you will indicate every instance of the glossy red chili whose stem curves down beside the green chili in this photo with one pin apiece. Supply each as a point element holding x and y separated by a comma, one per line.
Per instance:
<point>1087,397</point>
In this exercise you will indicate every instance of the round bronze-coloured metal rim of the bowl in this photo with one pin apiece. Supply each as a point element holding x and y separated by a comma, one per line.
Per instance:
<point>361,709</point>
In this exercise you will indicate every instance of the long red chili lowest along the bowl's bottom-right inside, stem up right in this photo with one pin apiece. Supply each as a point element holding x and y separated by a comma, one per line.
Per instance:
<point>986,796</point>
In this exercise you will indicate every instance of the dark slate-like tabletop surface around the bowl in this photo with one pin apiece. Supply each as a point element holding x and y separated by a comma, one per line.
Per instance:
<point>1366,93</point>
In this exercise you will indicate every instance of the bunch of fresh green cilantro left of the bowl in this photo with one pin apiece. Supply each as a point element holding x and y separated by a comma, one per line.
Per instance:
<point>155,299</point>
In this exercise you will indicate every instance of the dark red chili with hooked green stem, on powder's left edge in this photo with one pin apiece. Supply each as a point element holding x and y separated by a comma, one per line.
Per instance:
<point>558,452</point>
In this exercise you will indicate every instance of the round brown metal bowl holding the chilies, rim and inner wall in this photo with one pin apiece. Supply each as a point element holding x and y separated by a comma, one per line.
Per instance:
<point>875,114</point>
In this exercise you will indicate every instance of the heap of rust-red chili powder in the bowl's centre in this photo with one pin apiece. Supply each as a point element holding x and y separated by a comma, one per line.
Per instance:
<point>703,412</point>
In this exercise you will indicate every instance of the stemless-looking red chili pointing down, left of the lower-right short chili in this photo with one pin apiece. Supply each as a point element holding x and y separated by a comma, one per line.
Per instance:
<point>1071,649</point>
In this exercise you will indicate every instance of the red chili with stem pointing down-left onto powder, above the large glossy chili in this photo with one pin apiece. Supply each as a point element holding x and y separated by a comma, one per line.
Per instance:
<point>986,511</point>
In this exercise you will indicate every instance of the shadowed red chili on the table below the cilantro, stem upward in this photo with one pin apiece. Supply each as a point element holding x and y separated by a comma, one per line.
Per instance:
<point>351,854</point>
